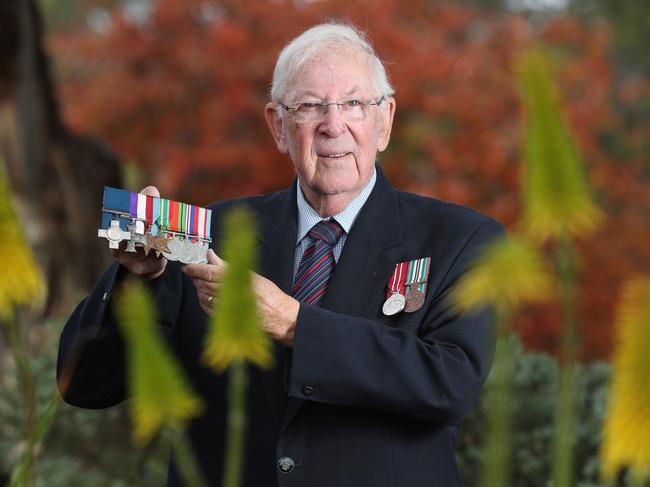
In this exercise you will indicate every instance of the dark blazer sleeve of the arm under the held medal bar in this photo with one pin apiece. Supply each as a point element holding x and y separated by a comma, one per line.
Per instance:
<point>91,364</point>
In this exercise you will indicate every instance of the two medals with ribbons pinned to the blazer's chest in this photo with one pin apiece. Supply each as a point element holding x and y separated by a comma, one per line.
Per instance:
<point>407,287</point>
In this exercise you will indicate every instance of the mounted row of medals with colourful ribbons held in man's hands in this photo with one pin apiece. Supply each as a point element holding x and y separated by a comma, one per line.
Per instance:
<point>176,230</point>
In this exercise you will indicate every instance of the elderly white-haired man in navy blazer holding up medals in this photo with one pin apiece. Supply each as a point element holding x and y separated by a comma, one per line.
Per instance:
<point>375,370</point>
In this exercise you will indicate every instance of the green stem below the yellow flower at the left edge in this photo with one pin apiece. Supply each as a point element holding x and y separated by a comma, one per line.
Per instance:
<point>24,471</point>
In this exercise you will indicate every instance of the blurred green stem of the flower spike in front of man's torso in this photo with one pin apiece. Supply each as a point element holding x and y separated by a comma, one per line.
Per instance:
<point>236,426</point>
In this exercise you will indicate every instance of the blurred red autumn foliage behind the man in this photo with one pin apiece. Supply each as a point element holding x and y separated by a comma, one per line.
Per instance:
<point>182,96</point>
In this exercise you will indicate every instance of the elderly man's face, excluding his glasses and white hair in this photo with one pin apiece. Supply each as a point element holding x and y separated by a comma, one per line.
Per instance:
<point>334,156</point>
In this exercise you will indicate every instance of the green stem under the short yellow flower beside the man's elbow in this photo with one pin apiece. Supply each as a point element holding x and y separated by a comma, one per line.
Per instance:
<point>499,404</point>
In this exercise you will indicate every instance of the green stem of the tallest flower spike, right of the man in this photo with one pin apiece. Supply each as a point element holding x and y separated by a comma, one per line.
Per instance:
<point>566,408</point>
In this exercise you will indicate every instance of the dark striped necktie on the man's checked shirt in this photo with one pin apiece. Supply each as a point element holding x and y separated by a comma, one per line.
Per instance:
<point>317,263</point>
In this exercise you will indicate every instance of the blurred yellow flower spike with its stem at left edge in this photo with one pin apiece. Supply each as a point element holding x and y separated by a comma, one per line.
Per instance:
<point>22,285</point>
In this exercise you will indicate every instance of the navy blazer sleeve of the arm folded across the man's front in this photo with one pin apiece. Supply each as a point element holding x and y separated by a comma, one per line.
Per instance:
<point>433,375</point>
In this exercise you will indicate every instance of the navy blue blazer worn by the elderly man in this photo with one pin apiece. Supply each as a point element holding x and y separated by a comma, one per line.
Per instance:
<point>362,399</point>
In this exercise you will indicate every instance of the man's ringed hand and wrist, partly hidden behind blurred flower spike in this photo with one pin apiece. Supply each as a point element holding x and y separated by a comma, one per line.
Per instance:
<point>277,310</point>
